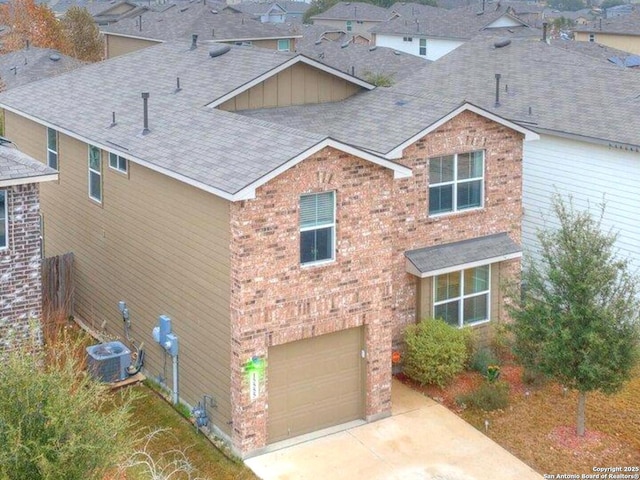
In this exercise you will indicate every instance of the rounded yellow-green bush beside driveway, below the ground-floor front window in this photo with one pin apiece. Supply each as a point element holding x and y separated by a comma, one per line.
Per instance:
<point>435,352</point>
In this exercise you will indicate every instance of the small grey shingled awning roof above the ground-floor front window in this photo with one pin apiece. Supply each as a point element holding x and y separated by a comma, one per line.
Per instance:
<point>455,256</point>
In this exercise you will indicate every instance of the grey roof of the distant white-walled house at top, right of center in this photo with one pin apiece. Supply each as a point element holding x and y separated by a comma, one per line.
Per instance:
<point>460,23</point>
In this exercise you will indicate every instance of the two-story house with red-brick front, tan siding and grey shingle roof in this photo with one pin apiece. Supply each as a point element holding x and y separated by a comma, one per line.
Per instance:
<point>289,258</point>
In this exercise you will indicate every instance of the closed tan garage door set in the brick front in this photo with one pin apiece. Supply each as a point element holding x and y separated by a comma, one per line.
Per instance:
<point>315,383</point>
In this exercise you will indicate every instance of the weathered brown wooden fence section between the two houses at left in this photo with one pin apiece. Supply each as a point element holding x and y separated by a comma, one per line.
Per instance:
<point>58,285</point>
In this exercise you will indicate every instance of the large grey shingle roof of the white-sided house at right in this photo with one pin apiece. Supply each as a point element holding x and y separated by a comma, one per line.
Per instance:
<point>546,87</point>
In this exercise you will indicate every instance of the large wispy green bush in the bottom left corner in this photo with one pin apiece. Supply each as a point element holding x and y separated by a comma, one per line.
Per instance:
<point>56,422</point>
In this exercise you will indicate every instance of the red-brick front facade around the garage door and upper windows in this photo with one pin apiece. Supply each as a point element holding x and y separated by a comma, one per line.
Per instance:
<point>274,300</point>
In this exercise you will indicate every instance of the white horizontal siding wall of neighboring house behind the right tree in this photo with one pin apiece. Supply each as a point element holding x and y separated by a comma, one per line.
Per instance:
<point>591,174</point>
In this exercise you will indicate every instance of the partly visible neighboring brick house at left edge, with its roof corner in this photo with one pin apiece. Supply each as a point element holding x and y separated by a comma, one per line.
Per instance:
<point>20,246</point>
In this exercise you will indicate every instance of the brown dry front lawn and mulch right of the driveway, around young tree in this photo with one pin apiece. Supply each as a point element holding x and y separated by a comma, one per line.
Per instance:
<point>538,426</point>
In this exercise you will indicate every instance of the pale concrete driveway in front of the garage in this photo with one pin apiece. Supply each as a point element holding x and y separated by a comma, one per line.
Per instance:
<point>421,440</point>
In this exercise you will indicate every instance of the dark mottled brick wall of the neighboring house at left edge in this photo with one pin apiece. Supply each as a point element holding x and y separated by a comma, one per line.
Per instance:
<point>20,275</point>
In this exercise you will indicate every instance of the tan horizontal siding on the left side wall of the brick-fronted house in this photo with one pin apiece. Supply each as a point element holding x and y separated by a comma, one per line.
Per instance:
<point>158,244</point>
